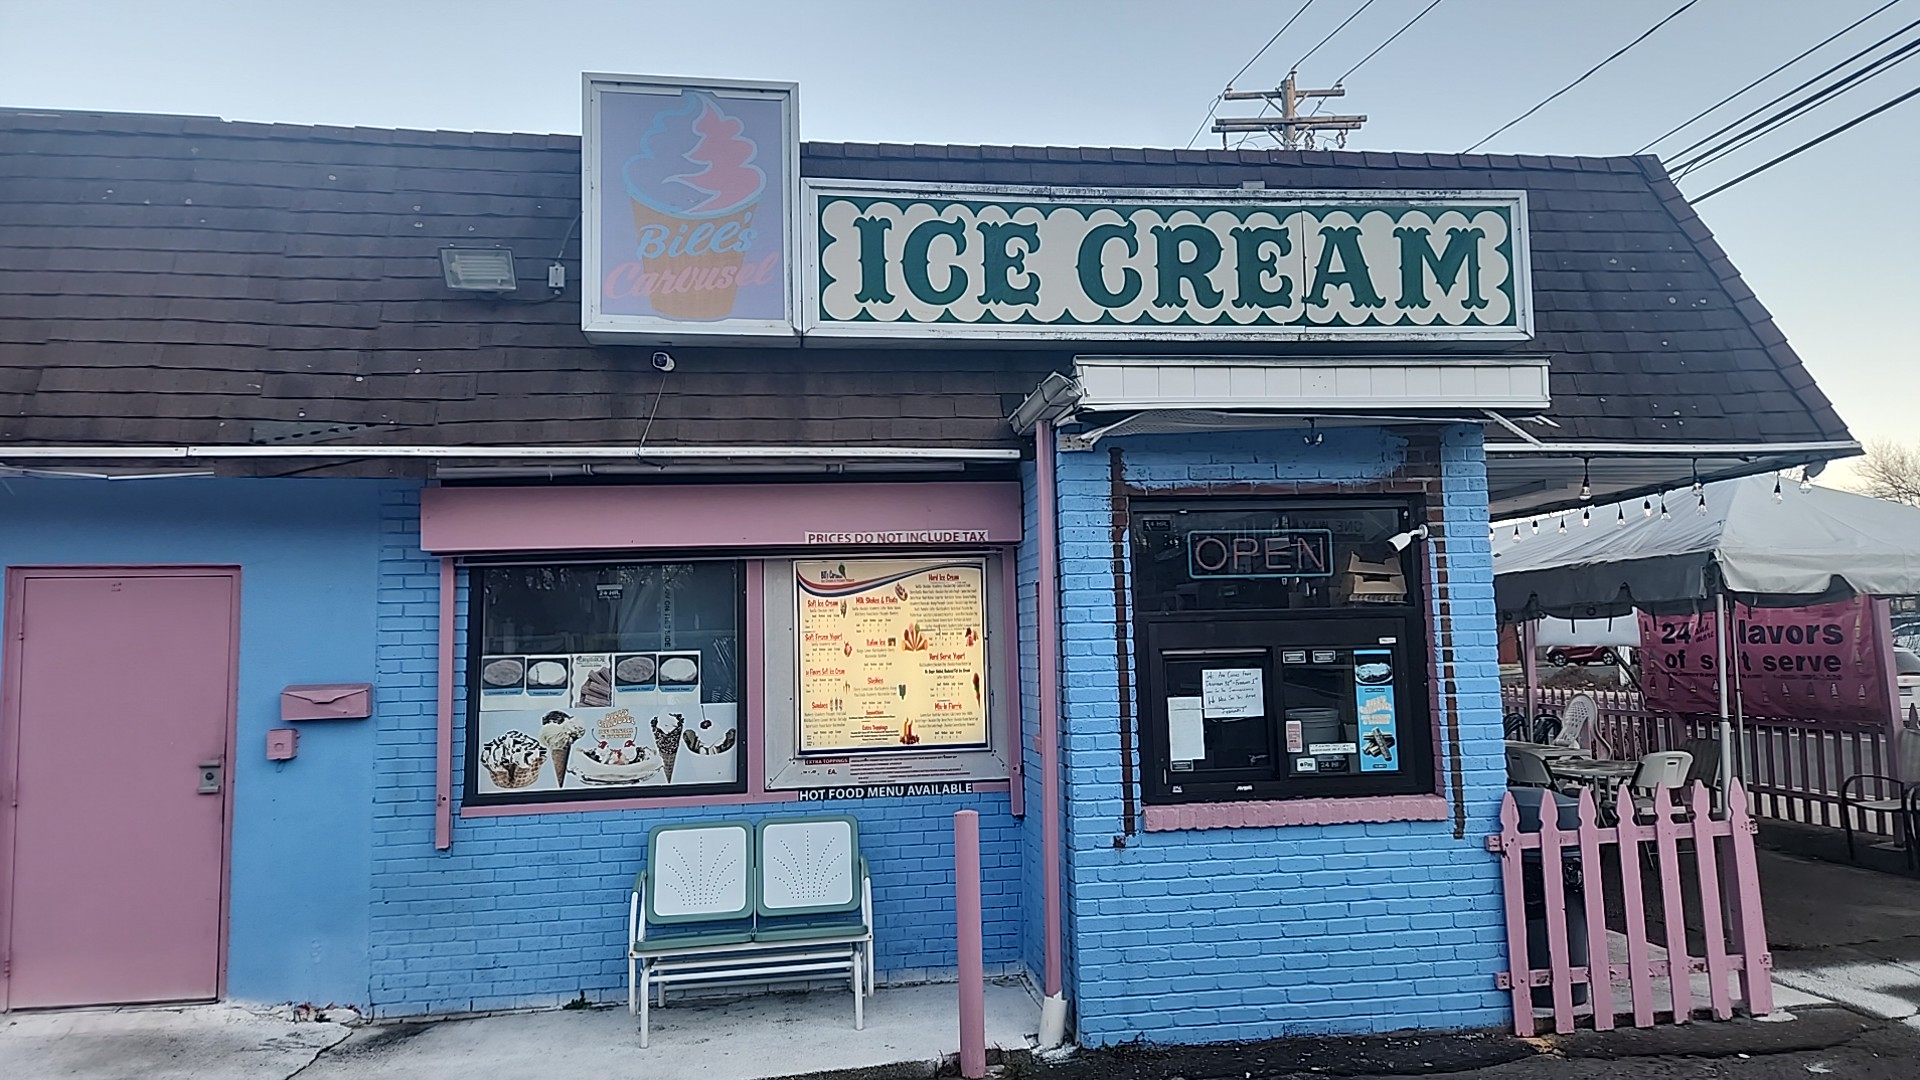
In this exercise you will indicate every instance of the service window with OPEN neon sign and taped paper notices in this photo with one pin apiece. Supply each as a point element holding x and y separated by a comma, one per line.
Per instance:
<point>1284,650</point>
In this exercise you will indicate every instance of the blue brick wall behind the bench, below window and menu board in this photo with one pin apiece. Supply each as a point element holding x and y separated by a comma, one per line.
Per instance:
<point>531,910</point>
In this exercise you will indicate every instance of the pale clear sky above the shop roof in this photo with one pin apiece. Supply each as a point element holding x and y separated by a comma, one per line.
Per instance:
<point>1827,241</point>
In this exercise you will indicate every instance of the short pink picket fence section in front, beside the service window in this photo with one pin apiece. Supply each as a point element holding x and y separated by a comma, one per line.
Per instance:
<point>1675,839</point>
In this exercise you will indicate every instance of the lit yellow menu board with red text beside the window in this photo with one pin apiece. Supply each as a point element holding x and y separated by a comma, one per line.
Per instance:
<point>892,656</point>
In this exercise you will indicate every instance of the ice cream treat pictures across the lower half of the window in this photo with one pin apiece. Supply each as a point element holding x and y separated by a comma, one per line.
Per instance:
<point>602,722</point>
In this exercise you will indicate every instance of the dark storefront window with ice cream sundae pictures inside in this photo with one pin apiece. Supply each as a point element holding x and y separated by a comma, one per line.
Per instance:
<point>606,679</point>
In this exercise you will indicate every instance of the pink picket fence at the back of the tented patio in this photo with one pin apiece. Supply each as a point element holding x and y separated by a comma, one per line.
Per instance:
<point>1792,770</point>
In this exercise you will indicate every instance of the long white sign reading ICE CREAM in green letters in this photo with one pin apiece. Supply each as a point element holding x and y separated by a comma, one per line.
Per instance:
<point>959,262</point>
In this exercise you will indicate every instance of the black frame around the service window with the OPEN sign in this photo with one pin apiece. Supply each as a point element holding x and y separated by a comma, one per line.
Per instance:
<point>1228,631</point>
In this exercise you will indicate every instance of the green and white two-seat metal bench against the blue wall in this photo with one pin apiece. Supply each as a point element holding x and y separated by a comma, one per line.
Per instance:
<point>732,902</point>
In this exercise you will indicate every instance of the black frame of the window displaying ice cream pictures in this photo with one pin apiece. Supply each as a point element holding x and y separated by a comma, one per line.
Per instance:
<point>746,645</point>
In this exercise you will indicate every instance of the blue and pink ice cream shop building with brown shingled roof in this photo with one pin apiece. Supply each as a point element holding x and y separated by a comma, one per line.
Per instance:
<point>402,526</point>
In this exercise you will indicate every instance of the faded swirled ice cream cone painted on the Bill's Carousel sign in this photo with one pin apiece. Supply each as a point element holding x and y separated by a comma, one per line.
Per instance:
<point>696,189</point>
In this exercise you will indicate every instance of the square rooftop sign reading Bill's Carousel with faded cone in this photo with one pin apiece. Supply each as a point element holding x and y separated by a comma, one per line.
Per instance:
<point>690,207</point>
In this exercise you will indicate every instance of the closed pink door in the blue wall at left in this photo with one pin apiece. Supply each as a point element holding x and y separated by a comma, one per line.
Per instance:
<point>118,704</point>
